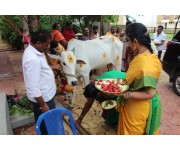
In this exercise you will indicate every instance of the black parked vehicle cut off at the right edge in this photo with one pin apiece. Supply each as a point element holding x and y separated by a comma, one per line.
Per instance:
<point>171,62</point>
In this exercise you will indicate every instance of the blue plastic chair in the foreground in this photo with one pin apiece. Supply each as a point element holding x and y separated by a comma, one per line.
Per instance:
<point>53,120</point>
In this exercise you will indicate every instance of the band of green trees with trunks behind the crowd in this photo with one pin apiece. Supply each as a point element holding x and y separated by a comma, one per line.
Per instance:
<point>31,23</point>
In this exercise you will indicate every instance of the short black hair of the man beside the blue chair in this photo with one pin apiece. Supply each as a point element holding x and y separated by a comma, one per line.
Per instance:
<point>41,36</point>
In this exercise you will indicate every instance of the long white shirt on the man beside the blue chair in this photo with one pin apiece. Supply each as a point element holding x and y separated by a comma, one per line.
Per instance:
<point>38,76</point>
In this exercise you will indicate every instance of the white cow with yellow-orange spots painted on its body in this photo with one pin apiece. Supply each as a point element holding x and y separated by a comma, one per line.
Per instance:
<point>83,56</point>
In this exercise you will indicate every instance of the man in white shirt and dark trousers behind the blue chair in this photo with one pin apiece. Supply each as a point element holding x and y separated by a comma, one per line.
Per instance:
<point>38,76</point>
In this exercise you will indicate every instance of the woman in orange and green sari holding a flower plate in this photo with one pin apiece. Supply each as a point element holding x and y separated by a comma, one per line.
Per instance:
<point>140,107</point>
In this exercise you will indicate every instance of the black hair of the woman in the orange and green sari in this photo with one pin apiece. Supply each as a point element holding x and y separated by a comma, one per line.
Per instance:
<point>139,32</point>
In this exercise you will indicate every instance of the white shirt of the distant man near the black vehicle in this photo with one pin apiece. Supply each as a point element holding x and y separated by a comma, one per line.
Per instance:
<point>158,38</point>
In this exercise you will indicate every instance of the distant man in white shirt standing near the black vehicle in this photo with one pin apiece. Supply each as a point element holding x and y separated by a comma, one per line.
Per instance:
<point>158,38</point>
